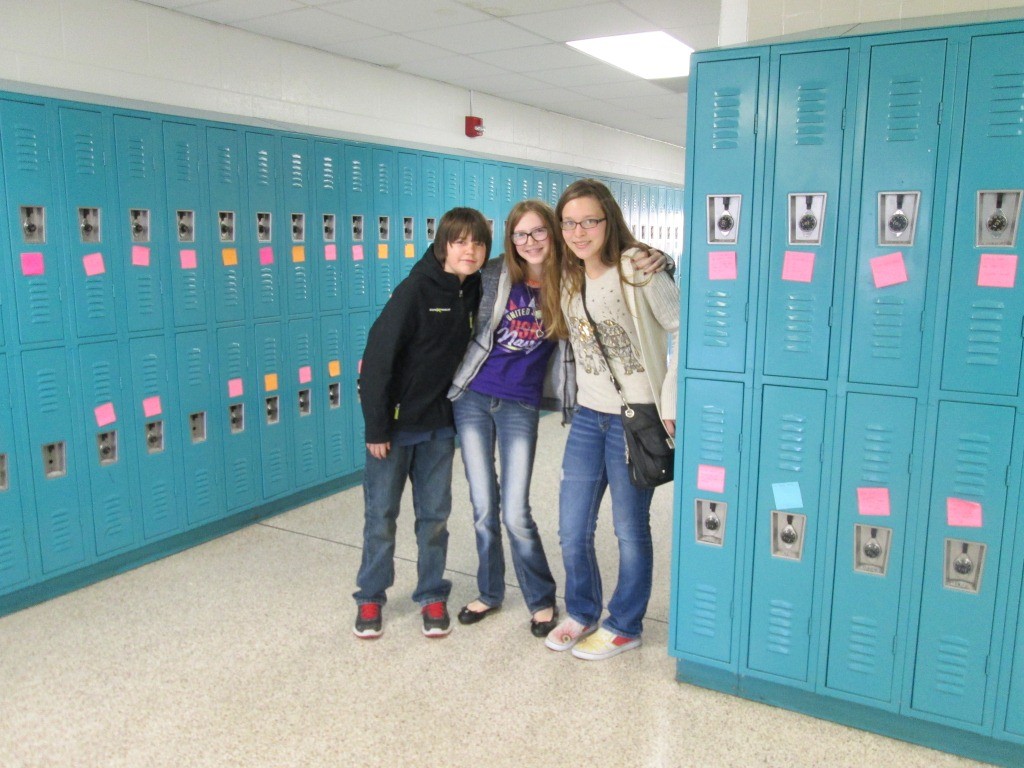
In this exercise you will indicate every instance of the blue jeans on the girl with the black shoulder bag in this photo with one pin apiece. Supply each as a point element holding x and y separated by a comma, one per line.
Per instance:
<point>595,459</point>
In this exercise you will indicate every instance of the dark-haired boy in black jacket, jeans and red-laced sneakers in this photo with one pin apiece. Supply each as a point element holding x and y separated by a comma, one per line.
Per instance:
<point>412,354</point>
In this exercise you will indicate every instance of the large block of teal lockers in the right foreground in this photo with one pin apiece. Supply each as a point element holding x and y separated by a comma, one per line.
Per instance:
<point>848,537</point>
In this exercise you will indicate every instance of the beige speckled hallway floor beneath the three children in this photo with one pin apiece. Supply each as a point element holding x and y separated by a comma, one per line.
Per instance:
<point>240,653</point>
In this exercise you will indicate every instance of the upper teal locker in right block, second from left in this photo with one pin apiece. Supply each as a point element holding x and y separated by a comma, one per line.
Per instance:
<point>808,155</point>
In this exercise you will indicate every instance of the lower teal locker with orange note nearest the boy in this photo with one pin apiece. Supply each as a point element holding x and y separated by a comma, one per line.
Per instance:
<point>336,397</point>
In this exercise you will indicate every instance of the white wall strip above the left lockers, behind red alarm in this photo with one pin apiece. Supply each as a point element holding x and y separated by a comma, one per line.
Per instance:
<point>127,53</point>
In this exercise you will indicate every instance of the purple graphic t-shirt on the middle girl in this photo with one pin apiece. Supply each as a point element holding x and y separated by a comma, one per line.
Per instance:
<point>519,360</point>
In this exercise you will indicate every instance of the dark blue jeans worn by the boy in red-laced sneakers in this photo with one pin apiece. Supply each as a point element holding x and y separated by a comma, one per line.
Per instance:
<point>430,466</point>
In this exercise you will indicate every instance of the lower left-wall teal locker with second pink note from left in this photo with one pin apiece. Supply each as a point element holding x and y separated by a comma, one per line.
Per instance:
<point>154,443</point>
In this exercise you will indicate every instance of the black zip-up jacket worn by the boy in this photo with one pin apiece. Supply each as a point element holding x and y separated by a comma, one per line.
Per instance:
<point>414,350</point>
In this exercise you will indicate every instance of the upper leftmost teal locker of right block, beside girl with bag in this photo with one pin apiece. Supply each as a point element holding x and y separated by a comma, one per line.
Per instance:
<point>724,116</point>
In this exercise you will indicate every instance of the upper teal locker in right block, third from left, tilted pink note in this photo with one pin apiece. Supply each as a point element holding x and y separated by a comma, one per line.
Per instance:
<point>898,197</point>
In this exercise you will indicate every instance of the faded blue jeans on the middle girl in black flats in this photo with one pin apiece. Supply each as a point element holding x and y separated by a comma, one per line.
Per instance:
<point>482,422</point>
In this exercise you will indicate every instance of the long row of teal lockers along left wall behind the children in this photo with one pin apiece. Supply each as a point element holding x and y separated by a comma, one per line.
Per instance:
<point>184,308</point>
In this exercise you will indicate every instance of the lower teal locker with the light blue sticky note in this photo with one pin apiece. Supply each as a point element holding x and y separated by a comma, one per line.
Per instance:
<point>789,506</point>
